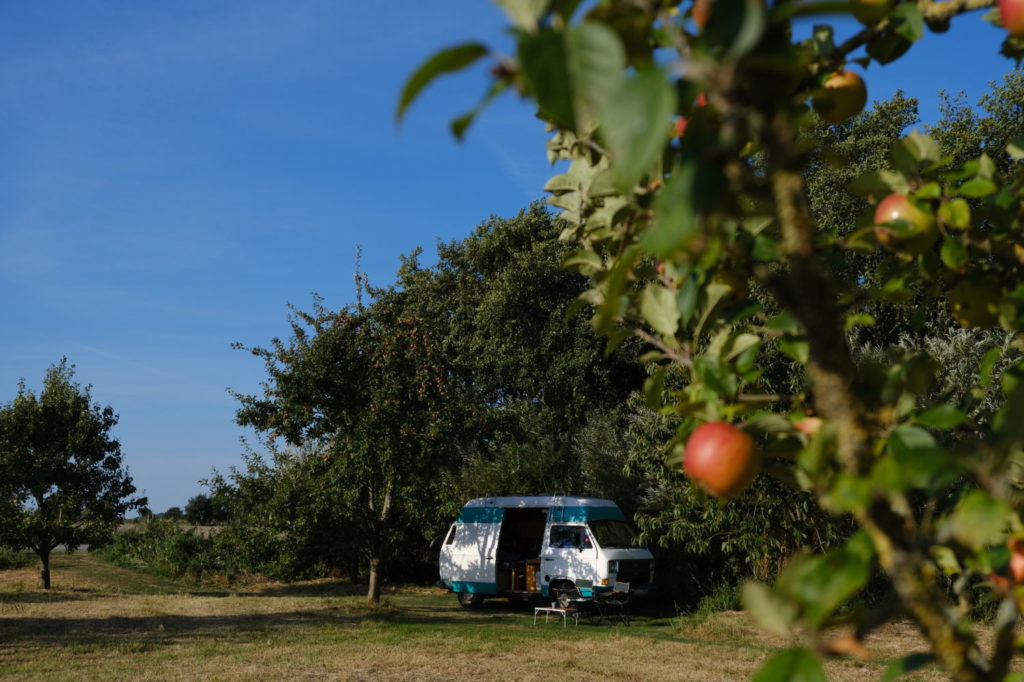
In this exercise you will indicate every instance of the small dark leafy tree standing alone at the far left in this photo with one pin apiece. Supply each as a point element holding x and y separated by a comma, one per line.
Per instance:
<point>63,470</point>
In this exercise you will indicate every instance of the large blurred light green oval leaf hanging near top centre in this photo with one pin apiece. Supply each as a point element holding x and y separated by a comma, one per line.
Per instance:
<point>635,124</point>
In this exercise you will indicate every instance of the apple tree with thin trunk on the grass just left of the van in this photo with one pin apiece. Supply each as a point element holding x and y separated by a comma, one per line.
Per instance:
<point>368,391</point>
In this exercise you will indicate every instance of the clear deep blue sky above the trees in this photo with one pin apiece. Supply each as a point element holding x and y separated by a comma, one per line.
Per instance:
<point>175,174</point>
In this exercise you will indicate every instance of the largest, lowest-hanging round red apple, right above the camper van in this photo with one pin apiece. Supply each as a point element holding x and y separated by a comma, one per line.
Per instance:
<point>721,459</point>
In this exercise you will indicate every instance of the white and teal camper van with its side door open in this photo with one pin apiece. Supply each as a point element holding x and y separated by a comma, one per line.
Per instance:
<point>529,547</point>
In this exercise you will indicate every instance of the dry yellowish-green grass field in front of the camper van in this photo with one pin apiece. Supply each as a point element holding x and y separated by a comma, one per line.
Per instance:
<point>105,623</point>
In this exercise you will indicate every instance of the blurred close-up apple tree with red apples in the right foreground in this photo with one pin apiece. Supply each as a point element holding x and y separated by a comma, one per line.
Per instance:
<point>684,138</point>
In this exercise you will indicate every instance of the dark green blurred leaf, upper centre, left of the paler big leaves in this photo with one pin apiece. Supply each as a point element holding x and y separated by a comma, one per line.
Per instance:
<point>544,58</point>
